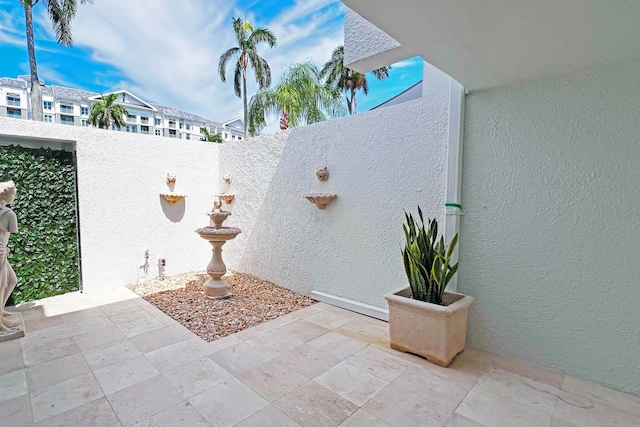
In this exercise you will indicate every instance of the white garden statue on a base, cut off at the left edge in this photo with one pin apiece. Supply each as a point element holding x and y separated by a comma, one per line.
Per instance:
<point>11,325</point>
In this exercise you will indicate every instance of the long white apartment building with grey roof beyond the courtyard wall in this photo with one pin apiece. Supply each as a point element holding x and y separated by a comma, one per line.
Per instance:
<point>70,106</point>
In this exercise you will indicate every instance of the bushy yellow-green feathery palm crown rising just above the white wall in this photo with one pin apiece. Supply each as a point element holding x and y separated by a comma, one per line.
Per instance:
<point>299,98</point>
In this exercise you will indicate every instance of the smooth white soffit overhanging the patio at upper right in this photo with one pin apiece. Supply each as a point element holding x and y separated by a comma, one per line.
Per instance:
<point>486,43</point>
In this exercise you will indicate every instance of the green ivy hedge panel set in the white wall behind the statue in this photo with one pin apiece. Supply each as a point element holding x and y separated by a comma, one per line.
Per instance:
<point>44,254</point>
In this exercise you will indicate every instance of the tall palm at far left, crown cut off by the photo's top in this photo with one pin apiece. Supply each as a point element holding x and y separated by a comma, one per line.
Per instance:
<point>60,12</point>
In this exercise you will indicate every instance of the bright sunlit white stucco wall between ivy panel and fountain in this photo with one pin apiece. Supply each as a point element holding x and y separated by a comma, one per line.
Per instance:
<point>120,176</point>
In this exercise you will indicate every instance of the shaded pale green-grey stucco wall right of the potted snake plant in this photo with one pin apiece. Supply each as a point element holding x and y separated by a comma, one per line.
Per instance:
<point>549,242</point>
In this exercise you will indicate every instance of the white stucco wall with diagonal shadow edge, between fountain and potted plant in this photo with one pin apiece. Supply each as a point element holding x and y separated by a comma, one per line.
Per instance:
<point>377,167</point>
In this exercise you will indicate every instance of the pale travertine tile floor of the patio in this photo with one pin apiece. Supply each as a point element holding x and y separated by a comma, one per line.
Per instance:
<point>112,359</point>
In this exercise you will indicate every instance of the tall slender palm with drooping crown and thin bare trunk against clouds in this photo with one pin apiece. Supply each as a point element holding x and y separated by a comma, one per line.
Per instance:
<point>246,53</point>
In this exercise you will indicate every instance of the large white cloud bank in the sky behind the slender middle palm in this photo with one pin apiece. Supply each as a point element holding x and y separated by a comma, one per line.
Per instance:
<point>168,51</point>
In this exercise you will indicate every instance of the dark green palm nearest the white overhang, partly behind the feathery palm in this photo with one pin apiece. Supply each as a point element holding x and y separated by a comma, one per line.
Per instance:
<point>347,80</point>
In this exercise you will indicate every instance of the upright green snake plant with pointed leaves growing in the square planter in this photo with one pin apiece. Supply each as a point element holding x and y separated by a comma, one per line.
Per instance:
<point>426,261</point>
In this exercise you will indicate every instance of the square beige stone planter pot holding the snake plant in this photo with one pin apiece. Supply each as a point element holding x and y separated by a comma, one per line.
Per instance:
<point>433,331</point>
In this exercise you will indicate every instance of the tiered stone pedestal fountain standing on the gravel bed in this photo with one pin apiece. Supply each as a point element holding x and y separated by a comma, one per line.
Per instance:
<point>217,235</point>
